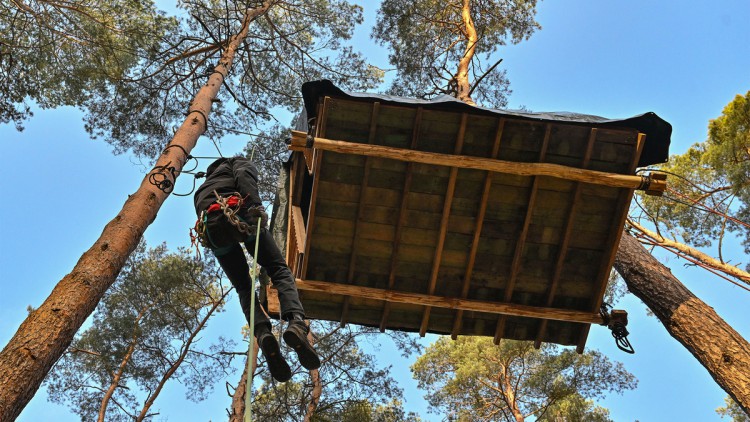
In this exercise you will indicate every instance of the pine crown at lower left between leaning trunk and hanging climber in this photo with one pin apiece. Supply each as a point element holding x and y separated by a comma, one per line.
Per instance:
<point>143,329</point>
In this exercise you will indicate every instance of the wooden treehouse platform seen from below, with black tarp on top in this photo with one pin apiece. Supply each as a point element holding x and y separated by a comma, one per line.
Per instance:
<point>436,216</point>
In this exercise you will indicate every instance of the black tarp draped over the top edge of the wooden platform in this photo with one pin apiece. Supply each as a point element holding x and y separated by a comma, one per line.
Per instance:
<point>657,130</point>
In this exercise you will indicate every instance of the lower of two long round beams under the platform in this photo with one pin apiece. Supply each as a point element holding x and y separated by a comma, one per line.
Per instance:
<point>419,299</point>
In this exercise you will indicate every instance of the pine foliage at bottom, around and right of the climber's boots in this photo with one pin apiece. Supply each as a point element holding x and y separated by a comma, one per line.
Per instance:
<point>353,381</point>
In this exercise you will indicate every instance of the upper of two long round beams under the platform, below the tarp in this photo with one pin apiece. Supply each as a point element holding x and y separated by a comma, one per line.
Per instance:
<point>615,180</point>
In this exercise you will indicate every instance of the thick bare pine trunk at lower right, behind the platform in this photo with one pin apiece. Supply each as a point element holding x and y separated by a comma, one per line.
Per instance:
<point>716,345</point>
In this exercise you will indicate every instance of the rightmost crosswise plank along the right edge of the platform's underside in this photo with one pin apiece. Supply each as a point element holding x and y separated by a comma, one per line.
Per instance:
<point>614,240</point>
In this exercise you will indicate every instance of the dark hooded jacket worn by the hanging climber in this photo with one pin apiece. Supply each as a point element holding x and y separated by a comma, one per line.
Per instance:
<point>227,176</point>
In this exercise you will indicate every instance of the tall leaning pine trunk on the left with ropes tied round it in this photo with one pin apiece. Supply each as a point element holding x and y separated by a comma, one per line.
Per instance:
<point>48,331</point>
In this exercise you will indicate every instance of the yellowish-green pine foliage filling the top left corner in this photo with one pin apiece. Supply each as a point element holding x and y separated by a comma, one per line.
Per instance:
<point>57,53</point>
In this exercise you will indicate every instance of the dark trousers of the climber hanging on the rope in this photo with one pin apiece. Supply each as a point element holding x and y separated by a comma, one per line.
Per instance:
<point>233,262</point>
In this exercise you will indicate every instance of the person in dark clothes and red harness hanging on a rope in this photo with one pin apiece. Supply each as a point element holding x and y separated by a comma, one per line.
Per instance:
<point>228,207</point>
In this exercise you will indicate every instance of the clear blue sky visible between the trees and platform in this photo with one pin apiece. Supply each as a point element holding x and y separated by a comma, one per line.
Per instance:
<point>684,61</point>
